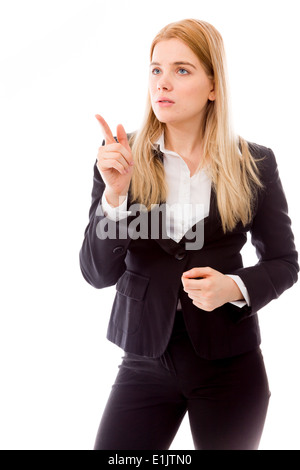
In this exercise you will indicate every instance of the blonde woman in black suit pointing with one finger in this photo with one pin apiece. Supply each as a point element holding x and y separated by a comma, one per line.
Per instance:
<point>171,209</point>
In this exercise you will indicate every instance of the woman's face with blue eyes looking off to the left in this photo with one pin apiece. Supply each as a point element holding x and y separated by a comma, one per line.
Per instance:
<point>178,84</point>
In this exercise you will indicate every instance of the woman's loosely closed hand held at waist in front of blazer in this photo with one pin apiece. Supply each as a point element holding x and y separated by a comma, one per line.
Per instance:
<point>212,290</point>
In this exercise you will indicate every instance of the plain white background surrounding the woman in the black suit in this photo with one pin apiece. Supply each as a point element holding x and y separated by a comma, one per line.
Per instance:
<point>63,61</point>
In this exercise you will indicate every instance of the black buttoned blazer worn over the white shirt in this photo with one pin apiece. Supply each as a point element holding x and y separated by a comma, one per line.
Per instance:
<point>147,272</point>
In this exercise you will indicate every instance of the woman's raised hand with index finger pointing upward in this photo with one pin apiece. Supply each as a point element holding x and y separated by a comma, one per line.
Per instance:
<point>115,163</point>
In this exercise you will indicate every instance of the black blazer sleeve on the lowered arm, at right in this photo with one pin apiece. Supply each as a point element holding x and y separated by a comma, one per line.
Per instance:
<point>271,234</point>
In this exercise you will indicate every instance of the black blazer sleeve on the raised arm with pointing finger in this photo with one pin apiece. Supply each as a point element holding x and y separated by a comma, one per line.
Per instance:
<point>103,251</point>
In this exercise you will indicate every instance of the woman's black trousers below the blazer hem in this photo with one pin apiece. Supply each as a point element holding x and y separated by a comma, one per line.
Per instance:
<point>226,400</point>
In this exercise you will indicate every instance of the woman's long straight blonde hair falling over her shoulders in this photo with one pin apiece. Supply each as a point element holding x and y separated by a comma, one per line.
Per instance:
<point>232,168</point>
